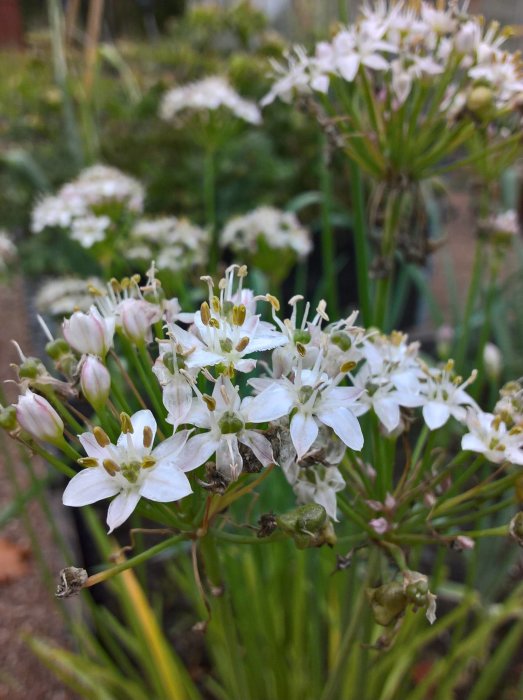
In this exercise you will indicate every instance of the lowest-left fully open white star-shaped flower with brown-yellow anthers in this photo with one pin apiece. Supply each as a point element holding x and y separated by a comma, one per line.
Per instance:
<point>129,470</point>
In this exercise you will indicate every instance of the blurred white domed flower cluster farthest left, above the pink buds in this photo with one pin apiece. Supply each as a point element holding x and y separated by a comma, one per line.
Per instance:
<point>88,204</point>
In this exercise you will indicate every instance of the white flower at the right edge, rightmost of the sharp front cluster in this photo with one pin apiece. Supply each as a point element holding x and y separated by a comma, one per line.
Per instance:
<point>489,436</point>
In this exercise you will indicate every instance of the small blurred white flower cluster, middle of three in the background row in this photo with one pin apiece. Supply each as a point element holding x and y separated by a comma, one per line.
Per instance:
<point>175,244</point>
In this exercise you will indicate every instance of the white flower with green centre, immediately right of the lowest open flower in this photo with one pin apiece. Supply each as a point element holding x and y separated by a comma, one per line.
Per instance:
<point>224,416</point>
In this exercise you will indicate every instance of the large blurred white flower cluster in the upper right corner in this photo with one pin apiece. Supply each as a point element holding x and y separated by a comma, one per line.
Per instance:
<point>399,45</point>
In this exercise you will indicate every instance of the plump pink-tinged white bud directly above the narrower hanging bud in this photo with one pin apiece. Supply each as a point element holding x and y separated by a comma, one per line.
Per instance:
<point>89,334</point>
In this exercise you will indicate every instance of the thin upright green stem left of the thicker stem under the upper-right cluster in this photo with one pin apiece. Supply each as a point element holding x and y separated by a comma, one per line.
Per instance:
<point>360,243</point>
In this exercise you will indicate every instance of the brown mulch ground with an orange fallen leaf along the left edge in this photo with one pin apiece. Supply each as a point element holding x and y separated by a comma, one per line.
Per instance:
<point>27,604</point>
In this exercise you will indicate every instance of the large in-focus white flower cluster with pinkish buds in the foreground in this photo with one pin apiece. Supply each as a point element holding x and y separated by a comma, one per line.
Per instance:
<point>303,412</point>
